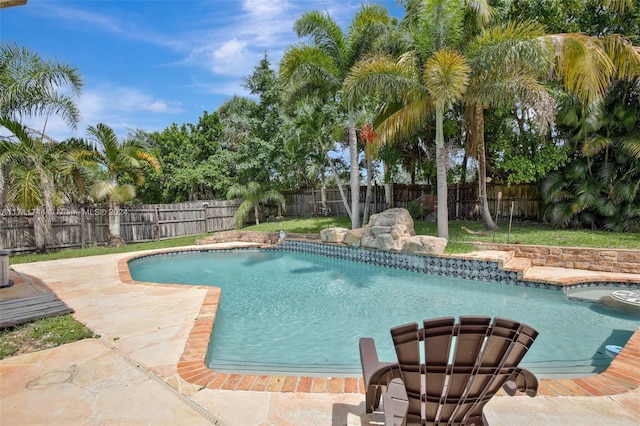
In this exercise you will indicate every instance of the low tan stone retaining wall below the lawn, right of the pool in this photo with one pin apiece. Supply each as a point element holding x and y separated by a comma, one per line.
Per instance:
<point>593,259</point>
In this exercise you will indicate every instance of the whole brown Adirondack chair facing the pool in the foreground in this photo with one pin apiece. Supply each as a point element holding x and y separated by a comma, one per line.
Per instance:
<point>464,365</point>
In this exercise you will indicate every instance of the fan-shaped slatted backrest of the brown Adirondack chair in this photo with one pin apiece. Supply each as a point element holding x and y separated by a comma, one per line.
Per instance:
<point>464,364</point>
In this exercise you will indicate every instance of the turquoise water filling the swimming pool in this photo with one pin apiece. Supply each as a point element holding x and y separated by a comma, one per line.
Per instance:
<point>288,312</point>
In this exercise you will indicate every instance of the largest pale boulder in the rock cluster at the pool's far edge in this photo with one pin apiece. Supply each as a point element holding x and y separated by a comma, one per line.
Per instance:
<point>388,230</point>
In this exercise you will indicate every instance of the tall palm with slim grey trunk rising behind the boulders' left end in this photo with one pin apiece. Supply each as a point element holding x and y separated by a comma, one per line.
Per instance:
<point>319,69</point>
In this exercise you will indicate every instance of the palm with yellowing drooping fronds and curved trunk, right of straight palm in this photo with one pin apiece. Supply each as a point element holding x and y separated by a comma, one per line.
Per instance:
<point>508,63</point>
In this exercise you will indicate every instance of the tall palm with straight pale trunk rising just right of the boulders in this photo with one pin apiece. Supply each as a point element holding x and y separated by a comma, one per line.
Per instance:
<point>426,79</point>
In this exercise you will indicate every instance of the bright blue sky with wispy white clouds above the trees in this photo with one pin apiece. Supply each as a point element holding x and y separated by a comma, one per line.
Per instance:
<point>147,64</point>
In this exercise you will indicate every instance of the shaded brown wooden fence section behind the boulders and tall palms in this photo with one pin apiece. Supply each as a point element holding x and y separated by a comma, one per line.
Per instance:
<point>462,200</point>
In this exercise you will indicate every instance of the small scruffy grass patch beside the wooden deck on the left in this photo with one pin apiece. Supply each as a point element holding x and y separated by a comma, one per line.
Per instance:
<point>42,334</point>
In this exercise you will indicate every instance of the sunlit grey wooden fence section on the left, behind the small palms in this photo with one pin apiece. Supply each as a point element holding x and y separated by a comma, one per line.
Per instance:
<point>82,226</point>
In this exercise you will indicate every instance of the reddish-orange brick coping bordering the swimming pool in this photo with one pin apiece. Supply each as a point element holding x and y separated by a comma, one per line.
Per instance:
<point>622,375</point>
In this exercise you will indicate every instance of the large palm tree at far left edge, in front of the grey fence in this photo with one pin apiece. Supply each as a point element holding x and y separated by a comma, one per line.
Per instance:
<point>33,87</point>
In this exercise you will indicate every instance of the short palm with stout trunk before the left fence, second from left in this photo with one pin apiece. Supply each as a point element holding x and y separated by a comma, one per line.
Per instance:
<point>120,160</point>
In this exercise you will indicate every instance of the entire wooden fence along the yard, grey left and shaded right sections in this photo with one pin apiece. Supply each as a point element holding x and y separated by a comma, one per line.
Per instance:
<point>83,227</point>
